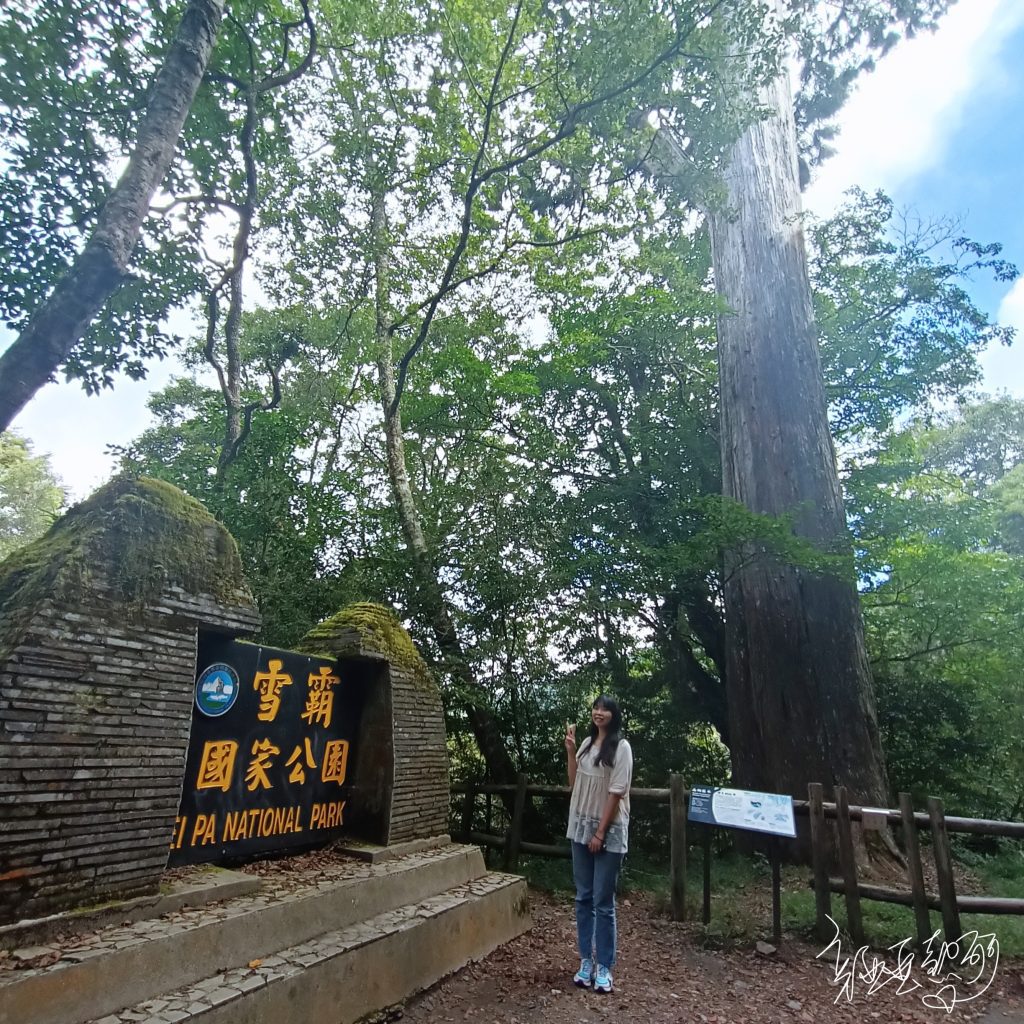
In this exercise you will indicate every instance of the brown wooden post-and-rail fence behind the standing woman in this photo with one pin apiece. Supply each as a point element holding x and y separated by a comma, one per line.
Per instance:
<point>820,814</point>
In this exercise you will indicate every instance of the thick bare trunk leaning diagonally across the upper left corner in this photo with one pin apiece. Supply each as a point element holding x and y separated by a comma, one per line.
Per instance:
<point>62,321</point>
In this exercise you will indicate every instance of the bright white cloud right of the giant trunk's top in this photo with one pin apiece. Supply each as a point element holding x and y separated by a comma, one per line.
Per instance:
<point>900,121</point>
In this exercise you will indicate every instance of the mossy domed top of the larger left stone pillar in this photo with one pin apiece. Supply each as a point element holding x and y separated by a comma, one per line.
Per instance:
<point>137,536</point>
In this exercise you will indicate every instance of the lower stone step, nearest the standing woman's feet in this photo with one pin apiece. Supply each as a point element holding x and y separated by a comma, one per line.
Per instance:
<point>347,974</point>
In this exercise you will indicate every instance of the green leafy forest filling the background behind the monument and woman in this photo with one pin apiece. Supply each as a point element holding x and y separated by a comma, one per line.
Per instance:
<point>460,354</point>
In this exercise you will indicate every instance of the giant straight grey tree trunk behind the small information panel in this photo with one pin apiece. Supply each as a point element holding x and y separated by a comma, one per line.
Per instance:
<point>799,687</point>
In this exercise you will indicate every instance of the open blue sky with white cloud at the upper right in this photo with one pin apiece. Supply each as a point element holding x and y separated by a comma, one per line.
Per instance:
<point>938,127</point>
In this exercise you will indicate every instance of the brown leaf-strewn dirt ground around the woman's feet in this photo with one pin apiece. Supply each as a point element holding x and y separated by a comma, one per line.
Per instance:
<point>664,977</point>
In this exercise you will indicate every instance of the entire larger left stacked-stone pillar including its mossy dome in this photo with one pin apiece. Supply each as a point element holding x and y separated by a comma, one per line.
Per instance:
<point>98,668</point>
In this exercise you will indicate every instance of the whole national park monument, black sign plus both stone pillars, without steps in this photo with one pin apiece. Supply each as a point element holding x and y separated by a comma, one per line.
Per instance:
<point>146,736</point>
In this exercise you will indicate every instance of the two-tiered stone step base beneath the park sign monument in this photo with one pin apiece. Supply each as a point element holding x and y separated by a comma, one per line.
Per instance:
<point>334,944</point>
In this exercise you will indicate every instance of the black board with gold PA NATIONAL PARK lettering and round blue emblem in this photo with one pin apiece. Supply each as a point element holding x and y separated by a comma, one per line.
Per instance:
<point>273,736</point>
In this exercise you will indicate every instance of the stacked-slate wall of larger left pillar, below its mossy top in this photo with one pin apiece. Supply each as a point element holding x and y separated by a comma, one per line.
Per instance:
<point>96,709</point>
